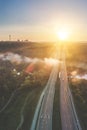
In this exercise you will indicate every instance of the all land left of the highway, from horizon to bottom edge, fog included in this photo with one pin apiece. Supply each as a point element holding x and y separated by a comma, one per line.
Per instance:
<point>21,83</point>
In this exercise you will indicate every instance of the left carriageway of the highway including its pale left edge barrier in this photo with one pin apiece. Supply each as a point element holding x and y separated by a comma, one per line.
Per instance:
<point>42,119</point>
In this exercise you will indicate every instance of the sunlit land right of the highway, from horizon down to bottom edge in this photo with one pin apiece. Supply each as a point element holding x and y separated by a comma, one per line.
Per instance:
<point>77,66</point>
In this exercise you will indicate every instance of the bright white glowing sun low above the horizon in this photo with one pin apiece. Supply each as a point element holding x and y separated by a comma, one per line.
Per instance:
<point>63,34</point>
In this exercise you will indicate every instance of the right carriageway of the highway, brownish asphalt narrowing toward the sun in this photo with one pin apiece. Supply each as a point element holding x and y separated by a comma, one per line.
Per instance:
<point>69,119</point>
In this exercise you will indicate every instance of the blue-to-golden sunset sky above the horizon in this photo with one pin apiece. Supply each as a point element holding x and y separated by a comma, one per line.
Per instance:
<point>40,20</point>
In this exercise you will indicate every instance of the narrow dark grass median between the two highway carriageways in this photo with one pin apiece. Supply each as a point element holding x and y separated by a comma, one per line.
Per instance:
<point>56,108</point>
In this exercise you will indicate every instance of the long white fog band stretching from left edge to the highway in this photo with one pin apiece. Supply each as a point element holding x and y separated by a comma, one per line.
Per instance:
<point>13,57</point>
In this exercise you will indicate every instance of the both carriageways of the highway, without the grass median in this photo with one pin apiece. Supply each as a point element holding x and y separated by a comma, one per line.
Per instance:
<point>43,115</point>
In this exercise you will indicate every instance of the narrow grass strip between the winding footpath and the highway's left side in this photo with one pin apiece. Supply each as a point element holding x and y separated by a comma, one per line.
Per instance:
<point>30,109</point>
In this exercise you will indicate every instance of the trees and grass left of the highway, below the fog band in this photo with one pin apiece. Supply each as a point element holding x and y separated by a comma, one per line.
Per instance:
<point>19,93</point>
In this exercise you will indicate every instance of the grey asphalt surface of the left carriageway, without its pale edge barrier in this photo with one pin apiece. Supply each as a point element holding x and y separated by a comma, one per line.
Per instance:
<point>45,114</point>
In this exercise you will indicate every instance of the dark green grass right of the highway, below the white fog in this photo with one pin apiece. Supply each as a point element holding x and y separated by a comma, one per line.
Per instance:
<point>79,91</point>
